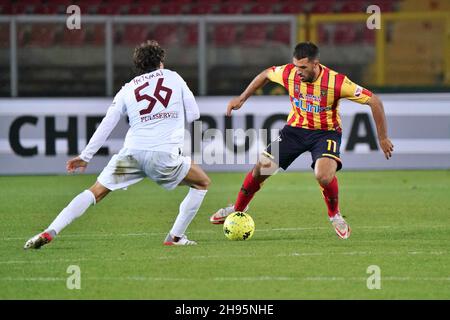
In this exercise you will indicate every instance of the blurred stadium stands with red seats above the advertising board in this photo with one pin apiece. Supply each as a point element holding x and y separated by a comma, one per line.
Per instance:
<point>217,45</point>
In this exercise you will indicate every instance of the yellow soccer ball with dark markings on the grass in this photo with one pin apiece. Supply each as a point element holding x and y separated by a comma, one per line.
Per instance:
<point>239,226</point>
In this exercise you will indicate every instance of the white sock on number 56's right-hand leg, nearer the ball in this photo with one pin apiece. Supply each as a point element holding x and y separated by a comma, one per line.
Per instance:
<point>188,209</point>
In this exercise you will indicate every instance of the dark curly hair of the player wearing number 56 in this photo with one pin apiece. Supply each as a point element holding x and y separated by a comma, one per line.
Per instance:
<point>148,56</point>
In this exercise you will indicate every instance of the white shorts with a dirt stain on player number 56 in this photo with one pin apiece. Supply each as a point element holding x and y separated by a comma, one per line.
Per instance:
<point>131,166</point>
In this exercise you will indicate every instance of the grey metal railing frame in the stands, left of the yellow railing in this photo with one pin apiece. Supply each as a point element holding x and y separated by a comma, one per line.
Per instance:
<point>109,21</point>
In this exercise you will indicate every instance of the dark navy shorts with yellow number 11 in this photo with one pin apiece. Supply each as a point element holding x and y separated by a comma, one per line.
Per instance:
<point>294,141</point>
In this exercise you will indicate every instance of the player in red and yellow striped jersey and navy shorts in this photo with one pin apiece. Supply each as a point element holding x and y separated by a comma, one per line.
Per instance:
<point>313,124</point>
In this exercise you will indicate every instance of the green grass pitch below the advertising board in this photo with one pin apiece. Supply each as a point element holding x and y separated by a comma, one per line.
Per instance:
<point>400,222</point>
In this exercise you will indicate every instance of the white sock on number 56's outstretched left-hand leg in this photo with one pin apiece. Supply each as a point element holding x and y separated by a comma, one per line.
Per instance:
<point>74,209</point>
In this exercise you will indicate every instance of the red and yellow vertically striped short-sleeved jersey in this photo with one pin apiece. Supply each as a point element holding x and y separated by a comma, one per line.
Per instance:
<point>315,105</point>
